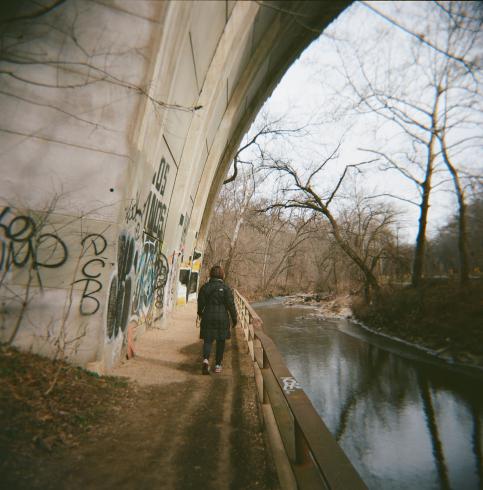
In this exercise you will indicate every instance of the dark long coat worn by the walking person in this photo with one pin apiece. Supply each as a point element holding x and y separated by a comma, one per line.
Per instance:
<point>215,307</point>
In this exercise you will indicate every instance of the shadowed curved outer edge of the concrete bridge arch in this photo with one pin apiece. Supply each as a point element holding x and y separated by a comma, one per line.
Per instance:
<point>291,27</point>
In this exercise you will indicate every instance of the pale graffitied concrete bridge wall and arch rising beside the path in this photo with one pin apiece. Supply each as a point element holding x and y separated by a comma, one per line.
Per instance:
<point>119,122</point>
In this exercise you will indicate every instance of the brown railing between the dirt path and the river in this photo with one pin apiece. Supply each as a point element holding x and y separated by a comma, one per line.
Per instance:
<point>305,453</point>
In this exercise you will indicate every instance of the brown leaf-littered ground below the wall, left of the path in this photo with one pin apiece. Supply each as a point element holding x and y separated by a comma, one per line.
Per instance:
<point>30,420</point>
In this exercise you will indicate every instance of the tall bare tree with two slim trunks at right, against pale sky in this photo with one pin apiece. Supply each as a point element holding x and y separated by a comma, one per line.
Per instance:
<point>431,97</point>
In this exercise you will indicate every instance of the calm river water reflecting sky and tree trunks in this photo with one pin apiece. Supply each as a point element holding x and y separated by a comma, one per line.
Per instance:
<point>404,422</point>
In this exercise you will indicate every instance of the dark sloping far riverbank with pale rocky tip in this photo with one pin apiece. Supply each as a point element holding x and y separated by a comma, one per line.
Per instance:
<point>439,317</point>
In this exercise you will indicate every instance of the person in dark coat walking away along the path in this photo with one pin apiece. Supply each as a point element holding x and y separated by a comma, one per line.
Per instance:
<point>216,306</point>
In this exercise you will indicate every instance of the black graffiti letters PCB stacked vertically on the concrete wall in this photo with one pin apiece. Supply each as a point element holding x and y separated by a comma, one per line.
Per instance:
<point>89,304</point>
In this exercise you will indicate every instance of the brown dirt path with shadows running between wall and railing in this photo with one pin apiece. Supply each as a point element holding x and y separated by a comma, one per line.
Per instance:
<point>183,430</point>
